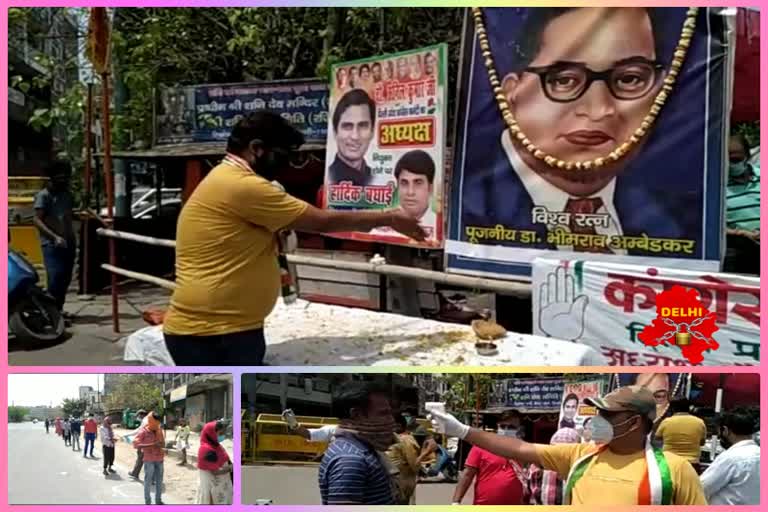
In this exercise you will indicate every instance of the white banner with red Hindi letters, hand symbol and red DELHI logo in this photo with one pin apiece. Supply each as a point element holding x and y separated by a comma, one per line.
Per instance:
<point>613,308</point>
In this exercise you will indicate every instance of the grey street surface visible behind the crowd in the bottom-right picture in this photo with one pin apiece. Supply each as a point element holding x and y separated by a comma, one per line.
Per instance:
<point>297,485</point>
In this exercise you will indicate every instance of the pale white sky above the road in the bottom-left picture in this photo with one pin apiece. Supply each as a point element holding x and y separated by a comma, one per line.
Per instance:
<point>48,389</point>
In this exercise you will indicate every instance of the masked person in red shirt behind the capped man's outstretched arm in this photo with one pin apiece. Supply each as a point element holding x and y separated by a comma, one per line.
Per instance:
<point>498,480</point>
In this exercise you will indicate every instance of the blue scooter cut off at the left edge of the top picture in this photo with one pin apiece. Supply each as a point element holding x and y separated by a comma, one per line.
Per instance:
<point>33,314</point>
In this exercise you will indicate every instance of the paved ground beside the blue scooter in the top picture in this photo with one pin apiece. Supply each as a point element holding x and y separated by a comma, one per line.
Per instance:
<point>91,341</point>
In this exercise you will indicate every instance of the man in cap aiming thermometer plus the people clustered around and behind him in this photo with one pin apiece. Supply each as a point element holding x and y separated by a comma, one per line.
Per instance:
<point>629,460</point>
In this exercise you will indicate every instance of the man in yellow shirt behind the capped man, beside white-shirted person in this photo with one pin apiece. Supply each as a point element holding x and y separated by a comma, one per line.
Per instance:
<point>683,433</point>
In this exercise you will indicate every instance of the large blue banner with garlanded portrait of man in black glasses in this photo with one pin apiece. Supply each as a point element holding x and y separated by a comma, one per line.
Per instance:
<point>590,130</point>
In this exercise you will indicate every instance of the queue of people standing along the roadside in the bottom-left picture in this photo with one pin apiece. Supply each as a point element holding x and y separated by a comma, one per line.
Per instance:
<point>213,462</point>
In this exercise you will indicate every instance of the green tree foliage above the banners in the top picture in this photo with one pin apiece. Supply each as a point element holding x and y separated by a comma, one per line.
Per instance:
<point>166,46</point>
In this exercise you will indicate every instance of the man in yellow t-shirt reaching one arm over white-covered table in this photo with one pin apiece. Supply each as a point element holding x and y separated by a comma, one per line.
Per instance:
<point>227,273</point>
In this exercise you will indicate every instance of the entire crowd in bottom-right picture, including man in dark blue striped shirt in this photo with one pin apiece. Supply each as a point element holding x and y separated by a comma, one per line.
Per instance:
<point>621,456</point>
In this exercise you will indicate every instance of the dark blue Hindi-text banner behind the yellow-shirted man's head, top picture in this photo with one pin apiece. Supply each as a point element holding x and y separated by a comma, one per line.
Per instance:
<point>207,113</point>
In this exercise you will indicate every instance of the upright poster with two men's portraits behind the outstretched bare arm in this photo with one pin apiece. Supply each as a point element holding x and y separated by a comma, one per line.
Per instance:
<point>386,139</point>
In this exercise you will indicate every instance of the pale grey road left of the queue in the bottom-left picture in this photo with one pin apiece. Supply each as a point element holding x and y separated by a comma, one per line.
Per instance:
<point>45,472</point>
